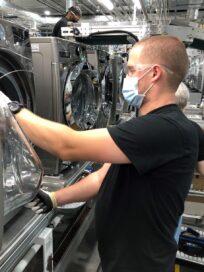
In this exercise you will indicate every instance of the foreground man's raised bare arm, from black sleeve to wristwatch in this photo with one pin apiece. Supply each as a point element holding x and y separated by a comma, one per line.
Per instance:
<point>68,144</point>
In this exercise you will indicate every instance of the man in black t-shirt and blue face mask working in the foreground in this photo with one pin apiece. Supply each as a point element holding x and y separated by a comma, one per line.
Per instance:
<point>149,162</point>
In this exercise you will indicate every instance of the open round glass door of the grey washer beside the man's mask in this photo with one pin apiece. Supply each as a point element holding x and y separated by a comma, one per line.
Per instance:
<point>81,98</point>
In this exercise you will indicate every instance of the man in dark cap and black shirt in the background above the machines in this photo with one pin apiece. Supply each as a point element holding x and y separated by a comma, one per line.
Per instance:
<point>73,15</point>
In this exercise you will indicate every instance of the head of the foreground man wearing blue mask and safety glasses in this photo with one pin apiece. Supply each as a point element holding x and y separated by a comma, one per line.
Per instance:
<point>156,66</point>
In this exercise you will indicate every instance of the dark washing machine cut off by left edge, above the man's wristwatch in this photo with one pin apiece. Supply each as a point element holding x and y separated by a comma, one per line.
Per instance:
<point>16,74</point>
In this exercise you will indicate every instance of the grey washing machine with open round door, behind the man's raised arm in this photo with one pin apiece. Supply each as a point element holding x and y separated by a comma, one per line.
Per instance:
<point>67,89</point>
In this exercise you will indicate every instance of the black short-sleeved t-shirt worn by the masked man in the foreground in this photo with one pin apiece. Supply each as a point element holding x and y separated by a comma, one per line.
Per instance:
<point>139,204</point>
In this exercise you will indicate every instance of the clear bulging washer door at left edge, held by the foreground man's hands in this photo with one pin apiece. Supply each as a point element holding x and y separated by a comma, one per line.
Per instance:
<point>21,170</point>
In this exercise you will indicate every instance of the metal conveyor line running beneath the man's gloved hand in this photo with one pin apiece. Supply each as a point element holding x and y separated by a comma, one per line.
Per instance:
<point>58,233</point>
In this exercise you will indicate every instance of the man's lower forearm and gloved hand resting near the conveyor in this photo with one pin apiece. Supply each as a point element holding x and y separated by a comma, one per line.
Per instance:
<point>82,190</point>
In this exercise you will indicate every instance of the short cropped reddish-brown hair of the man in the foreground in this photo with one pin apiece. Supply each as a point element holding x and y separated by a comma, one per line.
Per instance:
<point>169,51</point>
